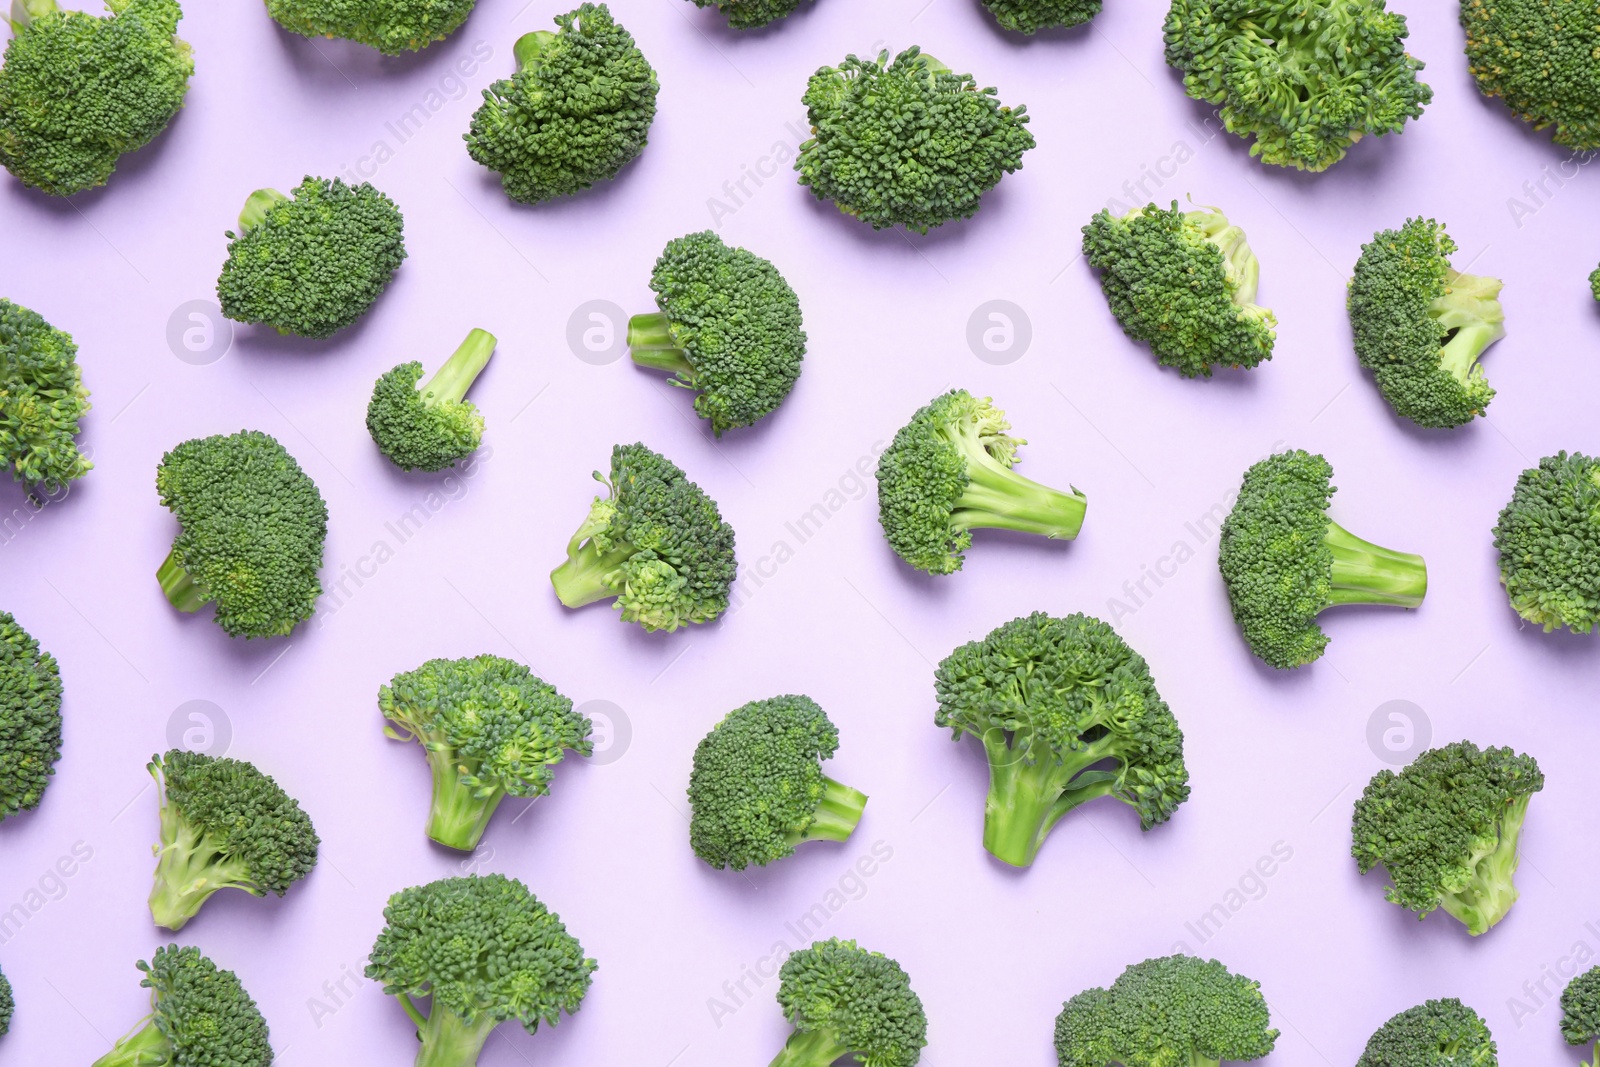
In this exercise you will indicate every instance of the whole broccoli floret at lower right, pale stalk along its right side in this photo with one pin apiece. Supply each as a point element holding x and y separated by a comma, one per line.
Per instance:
<point>1447,831</point>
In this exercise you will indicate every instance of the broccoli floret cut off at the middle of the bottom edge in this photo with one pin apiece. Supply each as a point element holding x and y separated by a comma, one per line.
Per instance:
<point>844,1001</point>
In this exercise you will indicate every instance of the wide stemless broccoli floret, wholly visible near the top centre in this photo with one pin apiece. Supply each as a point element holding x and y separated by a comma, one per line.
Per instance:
<point>908,142</point>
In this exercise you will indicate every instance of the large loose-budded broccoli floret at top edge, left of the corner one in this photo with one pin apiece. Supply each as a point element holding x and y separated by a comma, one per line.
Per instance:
<point>1306,81</point>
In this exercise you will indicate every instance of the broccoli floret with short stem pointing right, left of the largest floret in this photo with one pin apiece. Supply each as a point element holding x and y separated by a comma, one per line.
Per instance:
<point>759,789</point>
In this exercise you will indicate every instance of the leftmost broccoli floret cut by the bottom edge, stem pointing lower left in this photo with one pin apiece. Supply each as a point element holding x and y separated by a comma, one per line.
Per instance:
<point>199,1017</point>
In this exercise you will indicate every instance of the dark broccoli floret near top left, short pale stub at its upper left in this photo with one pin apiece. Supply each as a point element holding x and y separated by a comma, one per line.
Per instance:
<point>577,113</point>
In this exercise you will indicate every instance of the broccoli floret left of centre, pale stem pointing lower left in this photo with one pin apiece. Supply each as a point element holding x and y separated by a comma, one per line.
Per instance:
<point>655,543</point>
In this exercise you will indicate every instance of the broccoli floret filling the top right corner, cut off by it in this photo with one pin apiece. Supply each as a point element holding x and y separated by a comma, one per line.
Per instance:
<point>1540,58</point>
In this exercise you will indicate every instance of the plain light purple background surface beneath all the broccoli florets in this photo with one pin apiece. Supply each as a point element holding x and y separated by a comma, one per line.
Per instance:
<point>1276,759</point>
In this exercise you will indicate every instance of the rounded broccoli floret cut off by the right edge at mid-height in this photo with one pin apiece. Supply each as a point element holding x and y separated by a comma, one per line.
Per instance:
<point>1548,538</point>
